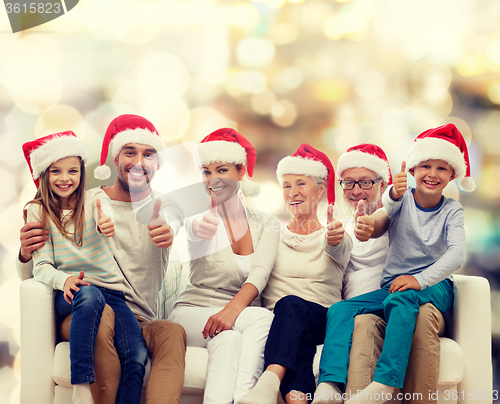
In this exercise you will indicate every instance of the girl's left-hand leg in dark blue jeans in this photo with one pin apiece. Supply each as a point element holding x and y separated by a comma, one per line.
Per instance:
<point>87,307</point>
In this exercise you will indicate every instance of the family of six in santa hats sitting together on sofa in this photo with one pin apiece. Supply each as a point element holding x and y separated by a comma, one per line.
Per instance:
<point>260,298</point>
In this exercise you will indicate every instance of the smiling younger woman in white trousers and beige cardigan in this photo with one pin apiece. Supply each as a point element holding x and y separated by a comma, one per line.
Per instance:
<point>232,251</point>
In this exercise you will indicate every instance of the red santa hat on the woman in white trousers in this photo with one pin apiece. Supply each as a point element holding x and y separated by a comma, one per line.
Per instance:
<point>225,145</point>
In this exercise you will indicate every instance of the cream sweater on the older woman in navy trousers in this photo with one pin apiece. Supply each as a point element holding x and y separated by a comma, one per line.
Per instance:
<point>309,268</point>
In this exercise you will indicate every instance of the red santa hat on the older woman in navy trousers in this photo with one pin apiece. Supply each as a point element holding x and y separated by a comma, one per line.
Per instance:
<point>311,162</point>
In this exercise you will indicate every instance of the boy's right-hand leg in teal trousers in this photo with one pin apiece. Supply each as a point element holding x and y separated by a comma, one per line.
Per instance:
<point>400,309</point>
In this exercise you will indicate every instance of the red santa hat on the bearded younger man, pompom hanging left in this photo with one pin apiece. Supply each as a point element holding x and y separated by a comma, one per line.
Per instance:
<point>126,129</point>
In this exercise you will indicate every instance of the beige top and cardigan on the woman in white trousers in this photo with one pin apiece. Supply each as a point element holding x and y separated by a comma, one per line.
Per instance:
<point>216,277</point>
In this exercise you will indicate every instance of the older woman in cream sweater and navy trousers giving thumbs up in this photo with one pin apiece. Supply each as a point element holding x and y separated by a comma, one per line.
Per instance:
<point>310,265</point>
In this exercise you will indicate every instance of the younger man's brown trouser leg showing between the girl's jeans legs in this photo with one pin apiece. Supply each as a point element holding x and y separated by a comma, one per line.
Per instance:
<point>106,362</point>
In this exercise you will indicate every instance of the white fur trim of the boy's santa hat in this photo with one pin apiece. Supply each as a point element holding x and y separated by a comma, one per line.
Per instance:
<point>436,149</point>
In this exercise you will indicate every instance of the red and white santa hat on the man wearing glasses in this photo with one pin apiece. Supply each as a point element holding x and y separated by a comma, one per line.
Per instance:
<point>367,156</point>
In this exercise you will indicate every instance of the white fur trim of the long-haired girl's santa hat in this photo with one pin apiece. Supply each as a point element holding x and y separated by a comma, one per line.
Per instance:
<point>56,149</point>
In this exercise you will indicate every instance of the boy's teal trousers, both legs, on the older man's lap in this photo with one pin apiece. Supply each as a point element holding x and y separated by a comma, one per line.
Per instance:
<point>399,310</point>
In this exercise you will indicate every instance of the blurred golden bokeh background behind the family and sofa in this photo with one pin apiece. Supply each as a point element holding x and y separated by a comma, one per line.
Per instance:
<point>282,72</point>
